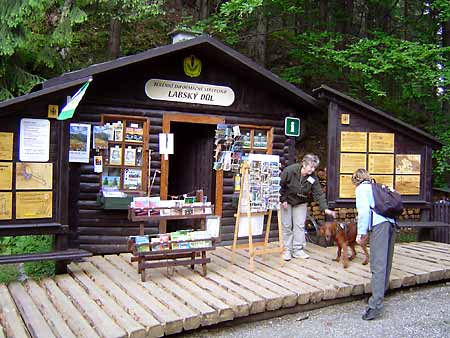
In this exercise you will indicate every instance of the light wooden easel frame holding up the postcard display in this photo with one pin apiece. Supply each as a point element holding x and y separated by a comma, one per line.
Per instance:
<point>257,248</point>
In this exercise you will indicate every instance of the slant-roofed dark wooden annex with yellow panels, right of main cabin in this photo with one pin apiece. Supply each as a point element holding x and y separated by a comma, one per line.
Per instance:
<point>395,153</point>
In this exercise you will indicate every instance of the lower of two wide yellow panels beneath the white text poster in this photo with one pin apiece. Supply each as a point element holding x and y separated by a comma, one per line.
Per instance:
<point>31,204</point>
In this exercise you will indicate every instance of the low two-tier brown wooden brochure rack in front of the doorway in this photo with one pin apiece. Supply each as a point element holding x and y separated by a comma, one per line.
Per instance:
<point>170,257</point>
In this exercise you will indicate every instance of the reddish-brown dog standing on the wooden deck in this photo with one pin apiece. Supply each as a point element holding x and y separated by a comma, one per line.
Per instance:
<point>344,235</point>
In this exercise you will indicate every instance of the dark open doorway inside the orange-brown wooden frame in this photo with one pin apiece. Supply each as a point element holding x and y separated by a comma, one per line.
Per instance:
<point>191,165</point>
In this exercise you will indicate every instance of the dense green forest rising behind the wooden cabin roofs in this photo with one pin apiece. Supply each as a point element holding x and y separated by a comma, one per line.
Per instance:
<point>391,54</point>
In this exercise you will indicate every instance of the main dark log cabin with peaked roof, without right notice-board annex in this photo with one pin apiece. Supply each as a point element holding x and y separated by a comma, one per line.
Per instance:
<point>232,90</point>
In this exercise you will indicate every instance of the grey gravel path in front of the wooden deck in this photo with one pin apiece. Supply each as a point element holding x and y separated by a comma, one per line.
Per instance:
<point>420,312</point>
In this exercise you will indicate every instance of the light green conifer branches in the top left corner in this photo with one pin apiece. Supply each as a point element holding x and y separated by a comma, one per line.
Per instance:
<point>34,35</point>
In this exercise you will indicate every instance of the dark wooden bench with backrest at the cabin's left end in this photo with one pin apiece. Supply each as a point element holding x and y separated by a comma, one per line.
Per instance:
<point>61,254</point>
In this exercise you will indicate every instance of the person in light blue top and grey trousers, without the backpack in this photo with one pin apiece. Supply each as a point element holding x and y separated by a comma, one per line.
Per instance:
<point>381,230</point>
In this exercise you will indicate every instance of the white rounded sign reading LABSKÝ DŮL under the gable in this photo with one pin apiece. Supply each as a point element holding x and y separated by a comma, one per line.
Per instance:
<point>188,92</point>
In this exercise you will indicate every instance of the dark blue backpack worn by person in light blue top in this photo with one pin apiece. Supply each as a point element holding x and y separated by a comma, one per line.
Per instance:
<point>388,203</point>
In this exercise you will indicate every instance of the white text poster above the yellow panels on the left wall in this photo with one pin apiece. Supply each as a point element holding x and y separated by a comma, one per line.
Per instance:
<point>34,144</point>
